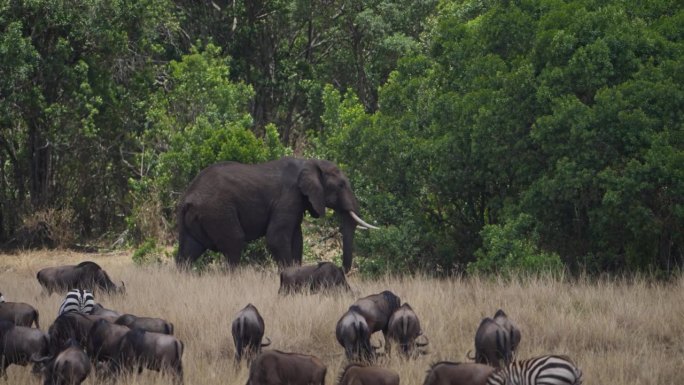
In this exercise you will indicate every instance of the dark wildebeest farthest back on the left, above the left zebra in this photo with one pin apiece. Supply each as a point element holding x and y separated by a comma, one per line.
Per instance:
<point>86,275</point>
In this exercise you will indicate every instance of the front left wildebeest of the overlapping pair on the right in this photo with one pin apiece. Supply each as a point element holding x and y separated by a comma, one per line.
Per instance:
<point>492,344</point>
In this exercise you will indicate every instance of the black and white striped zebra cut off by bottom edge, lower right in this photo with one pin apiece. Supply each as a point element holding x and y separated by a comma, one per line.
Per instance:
<point>544,370</point>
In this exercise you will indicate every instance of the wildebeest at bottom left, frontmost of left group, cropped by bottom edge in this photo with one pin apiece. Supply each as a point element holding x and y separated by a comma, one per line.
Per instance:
<point>70,367</point>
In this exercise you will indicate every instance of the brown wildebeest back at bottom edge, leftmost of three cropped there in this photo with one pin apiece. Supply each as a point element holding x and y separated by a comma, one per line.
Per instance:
<point>273,367</point>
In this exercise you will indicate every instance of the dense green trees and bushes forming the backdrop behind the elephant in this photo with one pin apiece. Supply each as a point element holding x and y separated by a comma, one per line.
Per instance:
<point>484,136</point>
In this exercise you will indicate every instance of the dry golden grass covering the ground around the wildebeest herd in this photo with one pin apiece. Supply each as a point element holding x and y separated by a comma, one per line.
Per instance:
<point>617,332</point>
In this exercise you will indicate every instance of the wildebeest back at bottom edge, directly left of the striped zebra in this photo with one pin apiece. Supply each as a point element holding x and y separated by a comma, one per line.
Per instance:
<point>456,373</point>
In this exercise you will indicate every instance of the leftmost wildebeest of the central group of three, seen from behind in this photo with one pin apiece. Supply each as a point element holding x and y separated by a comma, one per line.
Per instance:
<point>353,334</point>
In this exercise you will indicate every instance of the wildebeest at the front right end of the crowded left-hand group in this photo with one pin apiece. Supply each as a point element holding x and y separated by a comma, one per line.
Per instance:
<point>154,351</point>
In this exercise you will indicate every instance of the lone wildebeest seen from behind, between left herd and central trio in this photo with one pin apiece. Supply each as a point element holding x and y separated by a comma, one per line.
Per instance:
<point>248,331</point>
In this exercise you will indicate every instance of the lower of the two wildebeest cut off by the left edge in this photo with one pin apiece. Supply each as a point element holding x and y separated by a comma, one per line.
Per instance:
<point>18,344</point>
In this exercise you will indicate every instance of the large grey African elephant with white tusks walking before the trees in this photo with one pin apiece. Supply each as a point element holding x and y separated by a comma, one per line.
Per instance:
<point>229,204</point>
